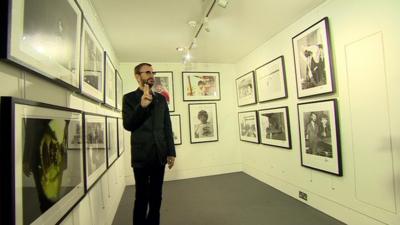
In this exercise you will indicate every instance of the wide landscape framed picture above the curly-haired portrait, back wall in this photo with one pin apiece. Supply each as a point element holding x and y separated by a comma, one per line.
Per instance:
<point>200,86</point>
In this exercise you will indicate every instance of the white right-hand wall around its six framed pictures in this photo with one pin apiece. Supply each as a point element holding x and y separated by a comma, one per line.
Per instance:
<point>365,40</point>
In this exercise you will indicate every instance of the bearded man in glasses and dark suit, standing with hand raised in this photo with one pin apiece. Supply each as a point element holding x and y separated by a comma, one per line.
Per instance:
<point>146,116</point>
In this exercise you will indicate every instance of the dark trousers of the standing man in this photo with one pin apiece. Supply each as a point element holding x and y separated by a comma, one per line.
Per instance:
<point>149,181</point>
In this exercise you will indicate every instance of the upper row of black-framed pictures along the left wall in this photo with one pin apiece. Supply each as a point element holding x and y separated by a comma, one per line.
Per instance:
<point>52,39</point>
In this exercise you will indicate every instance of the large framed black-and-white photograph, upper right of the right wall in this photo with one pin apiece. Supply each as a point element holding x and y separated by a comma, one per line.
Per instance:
<point>313,60</point>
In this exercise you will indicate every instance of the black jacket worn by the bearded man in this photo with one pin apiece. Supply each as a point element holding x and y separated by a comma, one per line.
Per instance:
<point>149,127</point>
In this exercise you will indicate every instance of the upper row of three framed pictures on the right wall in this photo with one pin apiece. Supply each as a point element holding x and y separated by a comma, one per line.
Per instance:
<point>313,65</point>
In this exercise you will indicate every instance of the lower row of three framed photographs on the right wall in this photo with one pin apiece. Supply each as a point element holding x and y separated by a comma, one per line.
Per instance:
<point>318,128</point>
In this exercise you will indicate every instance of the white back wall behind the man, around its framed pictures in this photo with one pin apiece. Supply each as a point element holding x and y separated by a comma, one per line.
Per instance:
<point>200,159</point>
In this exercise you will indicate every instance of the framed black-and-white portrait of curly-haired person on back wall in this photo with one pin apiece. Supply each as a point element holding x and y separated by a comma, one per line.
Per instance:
<point>203,122</point>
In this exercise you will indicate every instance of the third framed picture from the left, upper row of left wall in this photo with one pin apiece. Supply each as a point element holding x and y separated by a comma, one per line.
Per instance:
<point>109,83</point>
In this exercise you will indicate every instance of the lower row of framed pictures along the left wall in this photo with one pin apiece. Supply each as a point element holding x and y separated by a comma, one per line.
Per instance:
<point>52,156</point>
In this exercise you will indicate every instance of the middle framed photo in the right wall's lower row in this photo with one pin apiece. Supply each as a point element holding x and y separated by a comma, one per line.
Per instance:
<point>275,127</point>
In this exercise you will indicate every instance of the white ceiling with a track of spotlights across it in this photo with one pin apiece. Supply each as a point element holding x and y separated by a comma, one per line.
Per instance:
<point>151,30</point>
